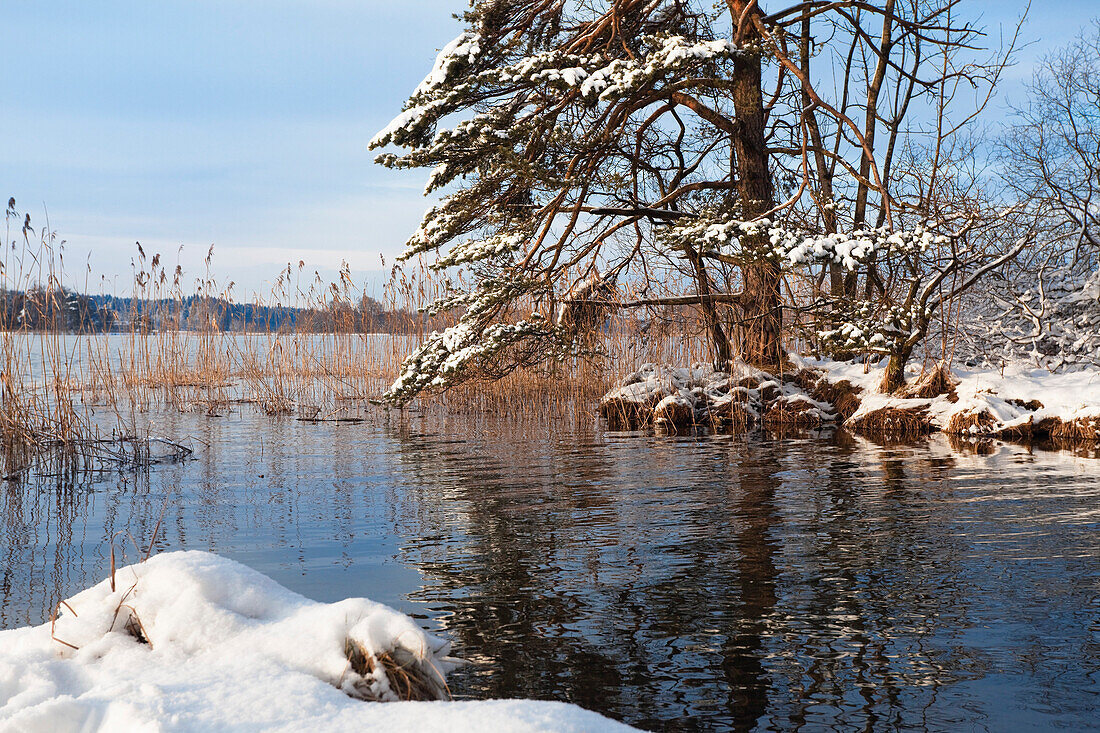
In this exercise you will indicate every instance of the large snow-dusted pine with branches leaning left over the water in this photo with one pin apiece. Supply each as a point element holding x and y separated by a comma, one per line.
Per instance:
<point>650,154</point>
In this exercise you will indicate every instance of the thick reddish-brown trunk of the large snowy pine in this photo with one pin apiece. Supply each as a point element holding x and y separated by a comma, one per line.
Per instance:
<point>762,313</point>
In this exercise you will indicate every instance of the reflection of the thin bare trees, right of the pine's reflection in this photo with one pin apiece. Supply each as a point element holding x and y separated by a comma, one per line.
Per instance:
<point>859,637</point>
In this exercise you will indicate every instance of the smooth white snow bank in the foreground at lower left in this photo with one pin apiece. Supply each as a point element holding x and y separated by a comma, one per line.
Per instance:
<point>194,642</point>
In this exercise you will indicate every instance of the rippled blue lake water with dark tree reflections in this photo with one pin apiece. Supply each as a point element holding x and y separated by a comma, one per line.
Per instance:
<point>675,584</point>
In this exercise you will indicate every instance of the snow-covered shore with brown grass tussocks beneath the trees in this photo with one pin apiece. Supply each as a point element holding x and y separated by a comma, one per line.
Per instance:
<point>1017,403</point>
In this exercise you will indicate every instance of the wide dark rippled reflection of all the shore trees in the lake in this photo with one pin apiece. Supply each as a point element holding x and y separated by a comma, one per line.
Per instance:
<point>705,584</point>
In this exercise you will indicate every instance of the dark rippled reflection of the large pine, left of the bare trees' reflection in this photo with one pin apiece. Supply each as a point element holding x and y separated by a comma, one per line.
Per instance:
<point>629,581</point>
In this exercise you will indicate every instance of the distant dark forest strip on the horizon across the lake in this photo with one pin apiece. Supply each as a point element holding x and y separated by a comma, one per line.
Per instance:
<point>62,310</point>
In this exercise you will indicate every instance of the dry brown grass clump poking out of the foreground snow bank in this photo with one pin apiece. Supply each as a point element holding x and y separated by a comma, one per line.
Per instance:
<point>392,676</point>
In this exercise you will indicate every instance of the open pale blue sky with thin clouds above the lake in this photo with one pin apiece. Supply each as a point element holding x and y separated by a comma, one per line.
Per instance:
<point>245,125</point>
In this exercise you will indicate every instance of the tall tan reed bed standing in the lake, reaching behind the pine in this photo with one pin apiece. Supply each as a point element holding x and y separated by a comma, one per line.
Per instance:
<point>78,371</point>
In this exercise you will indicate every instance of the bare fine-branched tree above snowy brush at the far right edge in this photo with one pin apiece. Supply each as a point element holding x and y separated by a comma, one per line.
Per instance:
<point>1047,308</point>
